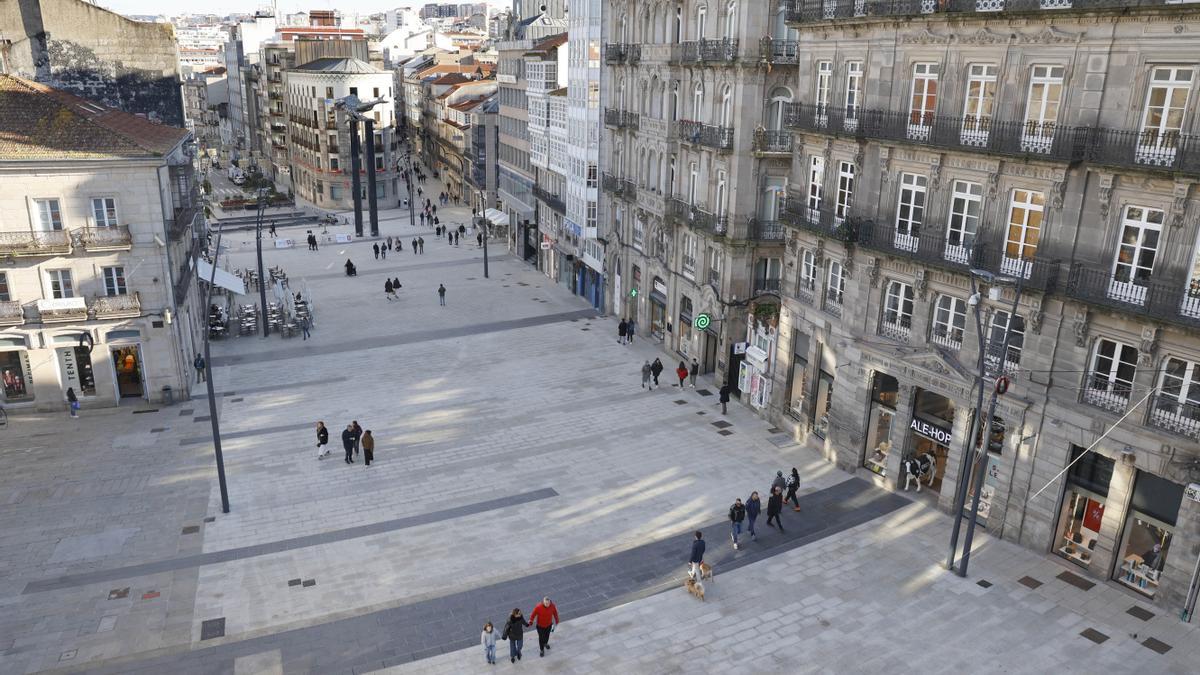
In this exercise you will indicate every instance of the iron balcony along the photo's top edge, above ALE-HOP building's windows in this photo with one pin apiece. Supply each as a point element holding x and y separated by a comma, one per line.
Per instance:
<point>809,11</point>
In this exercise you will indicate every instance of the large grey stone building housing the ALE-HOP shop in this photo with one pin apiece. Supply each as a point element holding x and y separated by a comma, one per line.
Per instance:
<point>1042,156</point>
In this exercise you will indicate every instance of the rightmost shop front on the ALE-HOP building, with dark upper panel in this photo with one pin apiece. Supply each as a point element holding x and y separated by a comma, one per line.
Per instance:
<point>1148,534</point>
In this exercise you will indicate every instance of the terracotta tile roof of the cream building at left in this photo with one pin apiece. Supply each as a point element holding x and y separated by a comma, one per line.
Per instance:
<point>43,123</point>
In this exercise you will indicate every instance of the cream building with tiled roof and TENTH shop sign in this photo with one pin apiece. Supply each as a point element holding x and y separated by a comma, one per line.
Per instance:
<point>100,232</point>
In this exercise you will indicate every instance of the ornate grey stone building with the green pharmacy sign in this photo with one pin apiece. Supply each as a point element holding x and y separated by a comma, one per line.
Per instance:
<point>692,195</point>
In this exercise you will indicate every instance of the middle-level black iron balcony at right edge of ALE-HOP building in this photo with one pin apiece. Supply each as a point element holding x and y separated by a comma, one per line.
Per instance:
<point>1175,302</point>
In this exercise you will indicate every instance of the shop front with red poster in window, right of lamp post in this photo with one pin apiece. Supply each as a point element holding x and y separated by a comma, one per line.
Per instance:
<point>1083,506</point>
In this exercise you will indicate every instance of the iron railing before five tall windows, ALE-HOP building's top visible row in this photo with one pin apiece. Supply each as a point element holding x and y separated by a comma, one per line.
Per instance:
<point>986,135</point>
